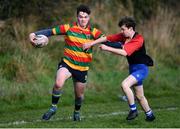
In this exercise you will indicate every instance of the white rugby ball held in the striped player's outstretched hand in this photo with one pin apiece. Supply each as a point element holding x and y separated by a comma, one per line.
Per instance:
<point>41,40</point>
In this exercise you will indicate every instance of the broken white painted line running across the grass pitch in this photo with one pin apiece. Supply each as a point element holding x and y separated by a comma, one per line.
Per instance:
<point>90,116</point>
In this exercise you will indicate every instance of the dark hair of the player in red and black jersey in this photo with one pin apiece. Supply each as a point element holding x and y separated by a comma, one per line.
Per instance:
<point>128,22</point>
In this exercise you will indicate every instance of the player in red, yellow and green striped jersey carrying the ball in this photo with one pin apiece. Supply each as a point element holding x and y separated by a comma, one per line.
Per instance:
<point>75,62</point>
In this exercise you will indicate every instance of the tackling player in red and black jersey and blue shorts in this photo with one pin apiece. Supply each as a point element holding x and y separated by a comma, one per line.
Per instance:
<point>133,49</point>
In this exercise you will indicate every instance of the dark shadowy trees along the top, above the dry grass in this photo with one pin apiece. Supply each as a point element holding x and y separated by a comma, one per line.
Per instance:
<point>23,8</point>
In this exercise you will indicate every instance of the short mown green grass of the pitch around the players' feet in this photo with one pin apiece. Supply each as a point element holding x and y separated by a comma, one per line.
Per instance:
<point>99,115</point>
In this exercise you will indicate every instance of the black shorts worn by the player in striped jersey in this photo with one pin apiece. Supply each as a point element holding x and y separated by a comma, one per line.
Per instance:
<point>78,76</point>
